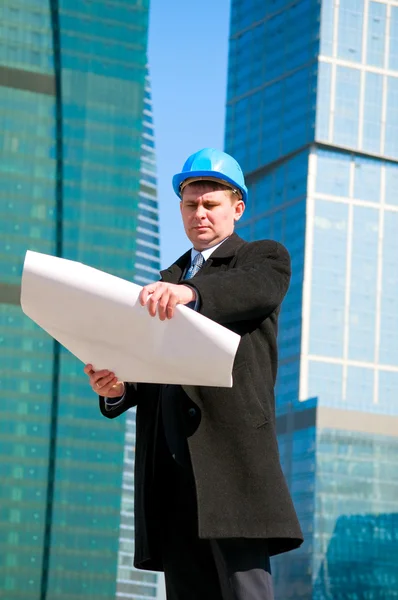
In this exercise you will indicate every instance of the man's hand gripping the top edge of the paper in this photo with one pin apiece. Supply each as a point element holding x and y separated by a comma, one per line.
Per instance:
<point>164,297</point>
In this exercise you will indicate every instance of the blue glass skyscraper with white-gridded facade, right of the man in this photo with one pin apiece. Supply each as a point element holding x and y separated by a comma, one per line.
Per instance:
<point>312,116</point>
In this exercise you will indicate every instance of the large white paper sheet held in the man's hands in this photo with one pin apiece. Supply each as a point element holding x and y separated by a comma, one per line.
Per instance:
<point>98,317</point>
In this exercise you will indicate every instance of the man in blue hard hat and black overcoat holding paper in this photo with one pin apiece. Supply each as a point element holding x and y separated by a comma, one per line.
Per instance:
<point>211,502</point>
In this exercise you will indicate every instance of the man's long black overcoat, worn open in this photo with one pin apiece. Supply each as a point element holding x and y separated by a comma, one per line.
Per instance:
<point>240,487</point>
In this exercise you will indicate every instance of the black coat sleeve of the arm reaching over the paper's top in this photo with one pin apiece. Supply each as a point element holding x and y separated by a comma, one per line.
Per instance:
<point>252,289</point>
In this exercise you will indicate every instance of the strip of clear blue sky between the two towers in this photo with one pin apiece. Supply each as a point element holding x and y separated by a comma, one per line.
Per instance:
<point>188,59</point>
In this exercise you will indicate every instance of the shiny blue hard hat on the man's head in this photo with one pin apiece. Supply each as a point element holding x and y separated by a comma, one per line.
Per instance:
<point>210,162</point>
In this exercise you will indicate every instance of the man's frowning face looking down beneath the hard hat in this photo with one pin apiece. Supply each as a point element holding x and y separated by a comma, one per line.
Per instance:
<point>209,216</point>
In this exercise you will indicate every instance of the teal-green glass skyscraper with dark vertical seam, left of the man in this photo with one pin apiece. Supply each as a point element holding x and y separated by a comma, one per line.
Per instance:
<point>72,79</point>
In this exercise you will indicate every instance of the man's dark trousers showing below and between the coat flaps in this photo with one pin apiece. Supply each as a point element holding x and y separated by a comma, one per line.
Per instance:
<point>196,569</point>
